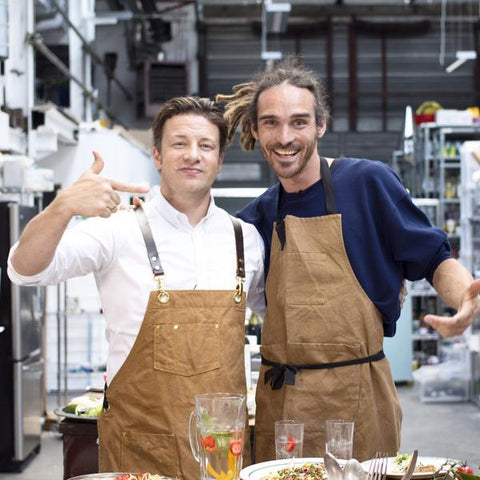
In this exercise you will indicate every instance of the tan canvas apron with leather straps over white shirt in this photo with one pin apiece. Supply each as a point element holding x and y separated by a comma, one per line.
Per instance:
<point>190,342</point>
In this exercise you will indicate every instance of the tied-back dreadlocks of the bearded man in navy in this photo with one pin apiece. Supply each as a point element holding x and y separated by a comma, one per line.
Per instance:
<point>242,106</point>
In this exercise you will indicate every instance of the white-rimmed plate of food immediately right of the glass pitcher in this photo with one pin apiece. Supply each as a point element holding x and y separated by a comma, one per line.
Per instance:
<point>308,468</point>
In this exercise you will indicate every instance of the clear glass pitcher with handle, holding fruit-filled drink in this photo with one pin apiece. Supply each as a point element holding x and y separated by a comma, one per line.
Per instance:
<point>216,432</point>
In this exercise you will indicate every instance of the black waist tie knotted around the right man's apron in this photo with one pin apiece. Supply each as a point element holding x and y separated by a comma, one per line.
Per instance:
<point>281,373</point>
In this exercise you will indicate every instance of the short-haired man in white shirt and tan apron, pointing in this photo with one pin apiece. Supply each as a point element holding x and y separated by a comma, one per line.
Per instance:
<point>172,277</point>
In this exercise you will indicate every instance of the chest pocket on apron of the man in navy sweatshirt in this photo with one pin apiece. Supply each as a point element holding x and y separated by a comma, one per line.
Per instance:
<point>310,288</point>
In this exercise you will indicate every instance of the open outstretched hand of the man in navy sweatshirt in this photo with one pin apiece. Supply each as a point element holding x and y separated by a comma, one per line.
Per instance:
<point>468,310</point>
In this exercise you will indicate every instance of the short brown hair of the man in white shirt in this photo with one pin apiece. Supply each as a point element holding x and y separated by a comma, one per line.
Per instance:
<point>190,105</point>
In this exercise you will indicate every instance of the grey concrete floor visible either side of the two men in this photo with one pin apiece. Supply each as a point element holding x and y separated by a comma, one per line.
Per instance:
<point>436,429</point>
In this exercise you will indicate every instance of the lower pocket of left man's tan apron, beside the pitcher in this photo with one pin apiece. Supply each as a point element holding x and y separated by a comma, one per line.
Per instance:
<point>147,452</point>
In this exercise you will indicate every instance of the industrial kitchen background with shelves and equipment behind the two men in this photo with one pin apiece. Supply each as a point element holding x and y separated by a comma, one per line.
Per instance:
<point>403,79</point>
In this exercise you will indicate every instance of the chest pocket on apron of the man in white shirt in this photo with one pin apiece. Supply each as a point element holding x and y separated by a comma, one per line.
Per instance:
<point>187,348</point>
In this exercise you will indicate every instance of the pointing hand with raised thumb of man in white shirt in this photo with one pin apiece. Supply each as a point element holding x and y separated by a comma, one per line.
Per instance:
<point>93,195</point>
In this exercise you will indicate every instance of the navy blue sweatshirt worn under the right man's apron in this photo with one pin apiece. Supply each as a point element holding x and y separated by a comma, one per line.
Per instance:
<point>387,238</point>
